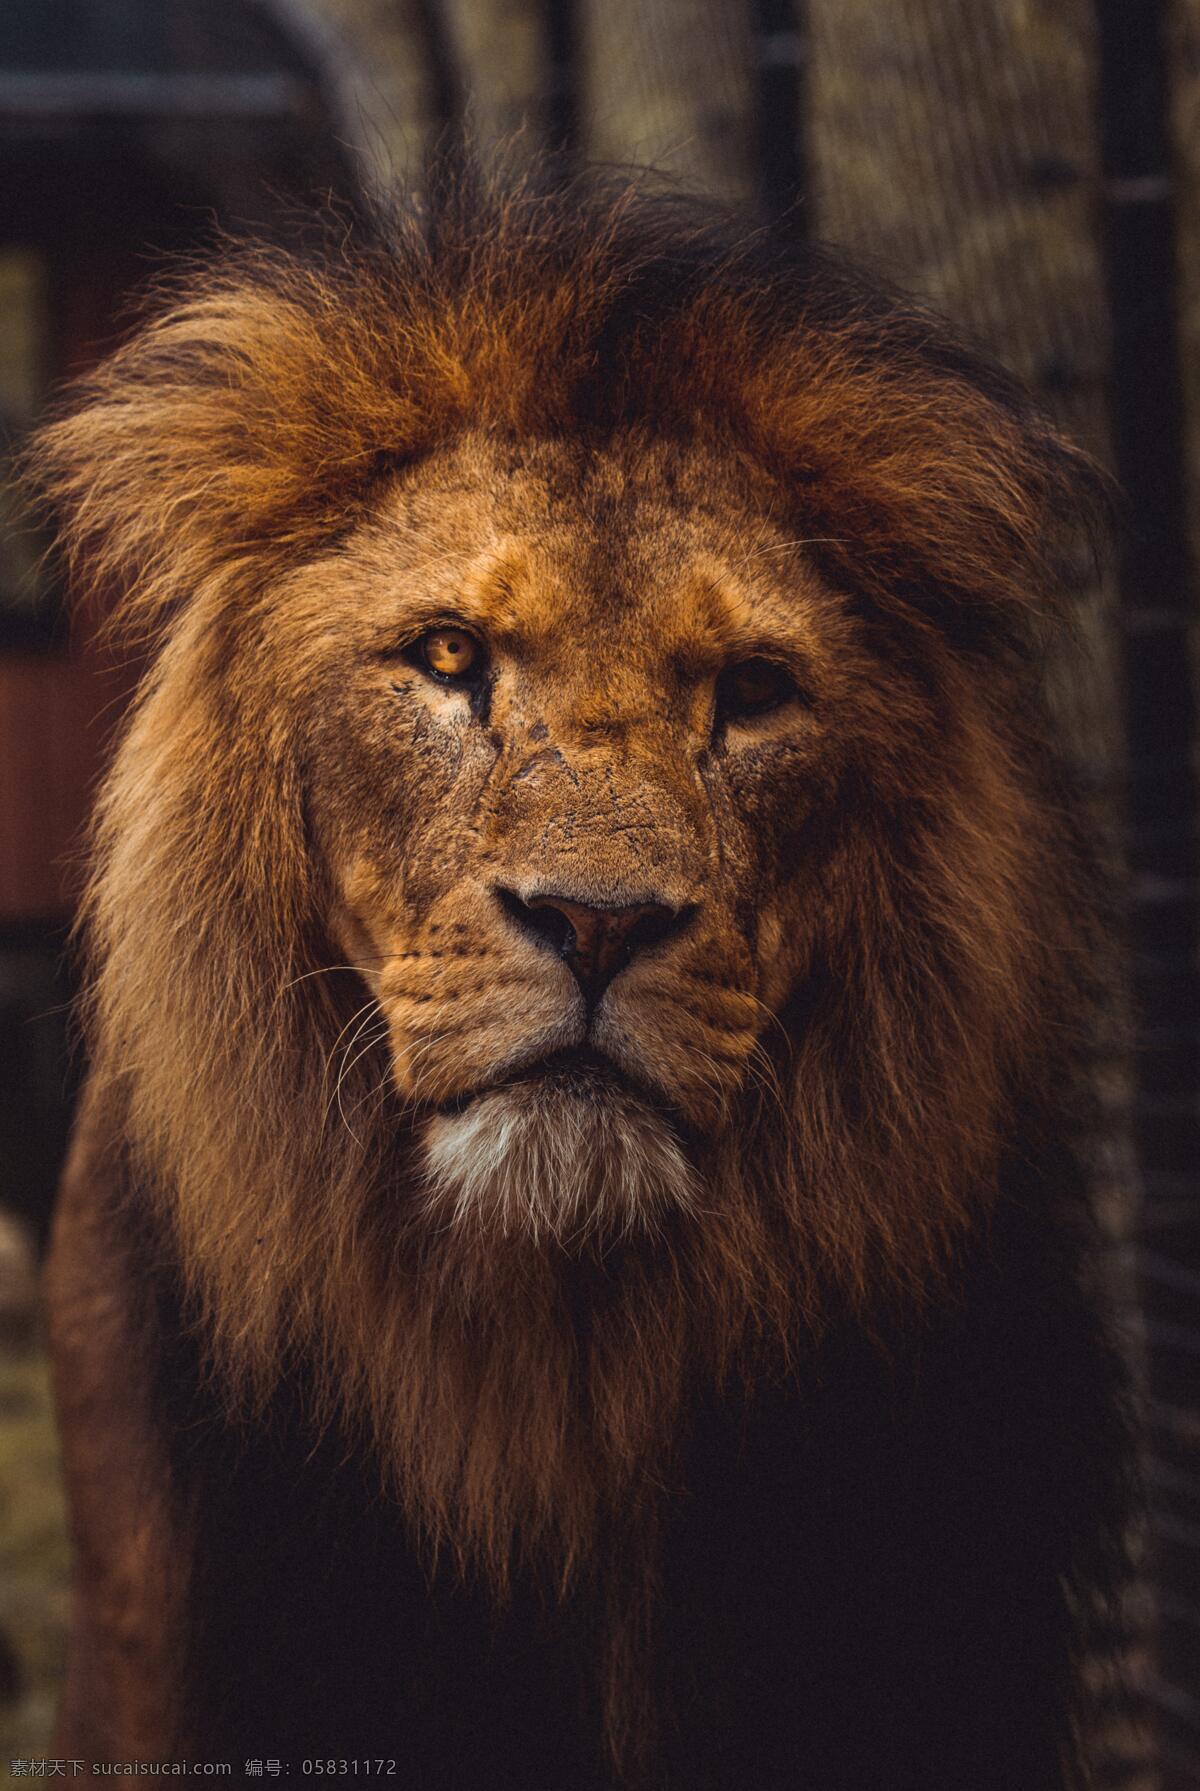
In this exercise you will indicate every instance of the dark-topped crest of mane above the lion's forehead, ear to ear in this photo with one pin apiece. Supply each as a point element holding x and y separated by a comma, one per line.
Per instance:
<point>219,431</point>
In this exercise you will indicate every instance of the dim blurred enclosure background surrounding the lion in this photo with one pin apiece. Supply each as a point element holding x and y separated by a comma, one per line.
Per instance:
<point>1029,166</point>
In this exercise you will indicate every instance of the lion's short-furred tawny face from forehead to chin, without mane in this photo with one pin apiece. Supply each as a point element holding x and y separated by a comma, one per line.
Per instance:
<point>572,737</point>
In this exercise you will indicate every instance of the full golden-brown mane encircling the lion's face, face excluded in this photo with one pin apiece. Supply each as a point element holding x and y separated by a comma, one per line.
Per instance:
<point>526,1403</point>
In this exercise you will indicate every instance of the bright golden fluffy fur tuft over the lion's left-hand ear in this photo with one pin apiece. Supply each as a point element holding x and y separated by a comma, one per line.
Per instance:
<point>244,418</point>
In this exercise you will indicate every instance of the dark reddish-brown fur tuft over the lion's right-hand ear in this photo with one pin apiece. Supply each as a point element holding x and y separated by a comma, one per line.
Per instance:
<point>925,470</point>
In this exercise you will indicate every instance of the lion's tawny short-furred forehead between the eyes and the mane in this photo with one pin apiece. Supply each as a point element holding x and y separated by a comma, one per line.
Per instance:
<point>628,554</point>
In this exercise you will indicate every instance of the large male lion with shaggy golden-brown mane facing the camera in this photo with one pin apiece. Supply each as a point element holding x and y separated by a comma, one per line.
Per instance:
<point>576,1267</point>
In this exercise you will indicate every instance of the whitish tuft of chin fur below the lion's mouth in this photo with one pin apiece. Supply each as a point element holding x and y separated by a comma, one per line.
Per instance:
<point>553,1163</point>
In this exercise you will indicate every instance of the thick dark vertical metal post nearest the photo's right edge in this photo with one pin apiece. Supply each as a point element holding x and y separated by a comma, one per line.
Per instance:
<point>1158,597</point>
